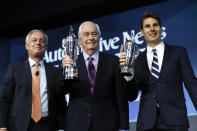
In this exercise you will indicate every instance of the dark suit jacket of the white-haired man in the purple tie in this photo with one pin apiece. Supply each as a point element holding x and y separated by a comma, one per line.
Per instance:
<point>104,110</point>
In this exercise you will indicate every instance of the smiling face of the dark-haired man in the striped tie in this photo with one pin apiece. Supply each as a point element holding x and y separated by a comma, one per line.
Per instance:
<point>151,31</point>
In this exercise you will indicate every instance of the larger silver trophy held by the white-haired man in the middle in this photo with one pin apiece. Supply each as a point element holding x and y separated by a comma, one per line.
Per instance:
<point>71,46</point>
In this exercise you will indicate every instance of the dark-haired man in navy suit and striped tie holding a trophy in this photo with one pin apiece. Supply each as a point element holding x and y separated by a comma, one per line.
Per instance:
<point>159,73</point>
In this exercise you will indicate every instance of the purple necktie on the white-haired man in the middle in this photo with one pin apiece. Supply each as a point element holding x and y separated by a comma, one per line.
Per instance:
<point>91,73</point>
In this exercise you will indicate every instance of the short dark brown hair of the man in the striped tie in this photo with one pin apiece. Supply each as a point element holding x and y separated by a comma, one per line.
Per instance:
<point>149,14</point>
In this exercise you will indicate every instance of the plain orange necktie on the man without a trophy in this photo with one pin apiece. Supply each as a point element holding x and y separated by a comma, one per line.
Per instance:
<point>36,100</point>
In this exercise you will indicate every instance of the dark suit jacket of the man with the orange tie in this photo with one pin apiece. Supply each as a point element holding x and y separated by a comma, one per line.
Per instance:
<point>16,97</point>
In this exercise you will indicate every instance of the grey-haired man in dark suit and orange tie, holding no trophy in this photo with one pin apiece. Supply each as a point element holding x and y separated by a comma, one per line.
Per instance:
<point>17,112</point>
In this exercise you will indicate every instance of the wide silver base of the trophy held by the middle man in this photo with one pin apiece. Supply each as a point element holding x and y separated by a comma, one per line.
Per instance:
<point>70,73</point>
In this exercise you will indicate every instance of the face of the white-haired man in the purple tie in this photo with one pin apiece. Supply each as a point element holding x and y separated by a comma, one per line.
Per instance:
<point>89,38</point>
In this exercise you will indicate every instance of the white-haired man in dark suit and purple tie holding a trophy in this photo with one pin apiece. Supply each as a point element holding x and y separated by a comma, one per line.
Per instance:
<point>97,104</point>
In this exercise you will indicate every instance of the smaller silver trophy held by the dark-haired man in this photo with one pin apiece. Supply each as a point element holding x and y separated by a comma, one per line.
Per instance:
<point>131,50</point>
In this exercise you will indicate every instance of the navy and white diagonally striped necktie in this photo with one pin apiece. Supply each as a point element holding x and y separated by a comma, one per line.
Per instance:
<point>155,65</point>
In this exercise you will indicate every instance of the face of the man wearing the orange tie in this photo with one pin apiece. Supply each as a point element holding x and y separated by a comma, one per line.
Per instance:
<point>36,45</point>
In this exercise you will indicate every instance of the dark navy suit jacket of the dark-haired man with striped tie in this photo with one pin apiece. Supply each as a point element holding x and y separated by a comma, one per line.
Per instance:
<point>168,90</point>
